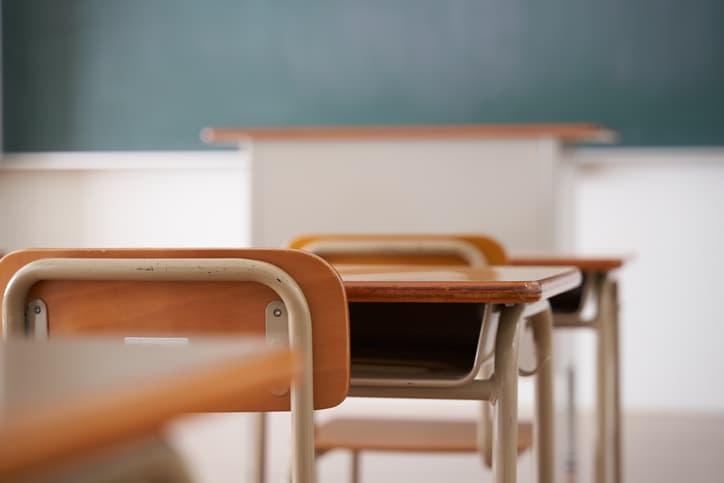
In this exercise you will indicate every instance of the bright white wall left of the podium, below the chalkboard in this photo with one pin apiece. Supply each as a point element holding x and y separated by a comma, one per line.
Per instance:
<point>124,199</point>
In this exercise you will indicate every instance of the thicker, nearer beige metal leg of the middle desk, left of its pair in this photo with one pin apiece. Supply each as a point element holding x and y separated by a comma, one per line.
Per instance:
<point>505,444</point>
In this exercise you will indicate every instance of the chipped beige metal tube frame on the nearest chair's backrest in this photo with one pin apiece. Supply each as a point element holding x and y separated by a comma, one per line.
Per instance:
<point>172,269</point>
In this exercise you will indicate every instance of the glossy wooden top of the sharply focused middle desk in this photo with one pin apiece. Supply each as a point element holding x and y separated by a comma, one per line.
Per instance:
<point>494,284</point>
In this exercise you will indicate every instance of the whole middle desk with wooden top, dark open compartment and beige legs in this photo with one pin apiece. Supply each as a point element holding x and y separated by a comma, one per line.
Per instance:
<point>388,359</point>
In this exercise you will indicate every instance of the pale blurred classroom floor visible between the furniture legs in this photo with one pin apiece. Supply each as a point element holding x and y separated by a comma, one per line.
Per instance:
<point>659,447</point>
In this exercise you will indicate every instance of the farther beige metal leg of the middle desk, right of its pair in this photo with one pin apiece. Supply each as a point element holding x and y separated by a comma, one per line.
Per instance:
<point>544,445</point>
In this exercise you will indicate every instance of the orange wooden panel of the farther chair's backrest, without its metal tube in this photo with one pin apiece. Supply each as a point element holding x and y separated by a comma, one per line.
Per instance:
<point>490,248</point>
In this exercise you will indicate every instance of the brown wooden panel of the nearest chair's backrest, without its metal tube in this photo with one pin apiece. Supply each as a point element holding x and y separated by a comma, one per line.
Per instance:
<point>130,308</point>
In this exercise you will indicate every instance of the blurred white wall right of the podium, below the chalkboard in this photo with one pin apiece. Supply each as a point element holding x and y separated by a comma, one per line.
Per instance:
<point>666,208</point>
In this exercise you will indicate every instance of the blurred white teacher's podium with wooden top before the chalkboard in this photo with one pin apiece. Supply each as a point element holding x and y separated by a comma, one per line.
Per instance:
<point>510,180</point>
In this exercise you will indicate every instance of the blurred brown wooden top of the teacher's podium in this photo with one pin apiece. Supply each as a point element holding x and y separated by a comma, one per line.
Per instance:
<point>579,132</point>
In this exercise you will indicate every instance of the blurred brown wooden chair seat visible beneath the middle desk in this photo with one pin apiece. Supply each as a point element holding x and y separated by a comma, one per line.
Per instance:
<point>418,435</point>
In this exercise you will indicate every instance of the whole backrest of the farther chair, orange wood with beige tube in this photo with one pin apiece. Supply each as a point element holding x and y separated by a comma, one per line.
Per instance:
<point>392,249</point>
